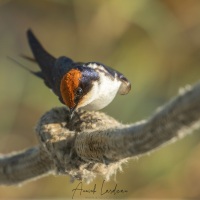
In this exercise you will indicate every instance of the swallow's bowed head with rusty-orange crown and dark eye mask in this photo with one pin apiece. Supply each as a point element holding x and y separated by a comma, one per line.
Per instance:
<point>77,87</point>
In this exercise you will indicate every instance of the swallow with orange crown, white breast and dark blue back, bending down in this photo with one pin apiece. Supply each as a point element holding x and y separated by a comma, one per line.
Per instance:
<point>90,86</point>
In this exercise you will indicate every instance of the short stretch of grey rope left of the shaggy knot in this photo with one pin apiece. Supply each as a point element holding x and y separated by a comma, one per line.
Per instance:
<point>25,165</point>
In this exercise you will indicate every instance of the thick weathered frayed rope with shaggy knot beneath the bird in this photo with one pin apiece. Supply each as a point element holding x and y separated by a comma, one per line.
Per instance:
<point>94,143</point>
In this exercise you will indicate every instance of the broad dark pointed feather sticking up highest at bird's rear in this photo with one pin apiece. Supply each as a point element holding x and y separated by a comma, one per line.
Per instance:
<point>42,57</point>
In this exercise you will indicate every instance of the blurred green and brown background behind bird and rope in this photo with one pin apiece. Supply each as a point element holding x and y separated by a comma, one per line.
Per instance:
<point>155,44</point>
